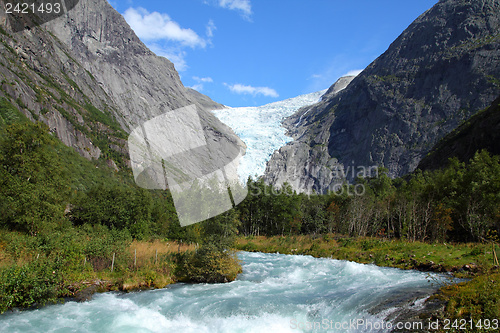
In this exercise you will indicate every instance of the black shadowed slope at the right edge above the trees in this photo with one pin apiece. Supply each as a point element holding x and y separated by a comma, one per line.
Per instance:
<point>482,131</point>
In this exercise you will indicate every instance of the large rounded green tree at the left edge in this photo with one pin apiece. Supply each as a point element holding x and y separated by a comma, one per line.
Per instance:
<point>34,185</point>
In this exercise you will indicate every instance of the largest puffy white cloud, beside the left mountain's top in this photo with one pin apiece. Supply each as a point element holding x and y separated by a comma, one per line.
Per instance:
<point>157,26</point>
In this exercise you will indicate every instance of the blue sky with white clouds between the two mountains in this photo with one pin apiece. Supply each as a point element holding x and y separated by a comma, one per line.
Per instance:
<point>253,52</point>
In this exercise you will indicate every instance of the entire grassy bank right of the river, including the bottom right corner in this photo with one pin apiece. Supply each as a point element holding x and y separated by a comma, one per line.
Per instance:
<point>478,298</point>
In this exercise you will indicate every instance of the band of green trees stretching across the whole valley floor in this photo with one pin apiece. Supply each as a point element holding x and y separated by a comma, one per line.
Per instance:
<point>42,189</point>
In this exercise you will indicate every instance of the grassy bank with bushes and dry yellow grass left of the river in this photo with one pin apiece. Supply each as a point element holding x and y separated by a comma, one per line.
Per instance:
<point>34,274</point>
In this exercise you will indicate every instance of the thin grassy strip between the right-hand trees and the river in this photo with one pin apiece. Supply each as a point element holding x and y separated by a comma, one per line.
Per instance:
<point>463,260</point>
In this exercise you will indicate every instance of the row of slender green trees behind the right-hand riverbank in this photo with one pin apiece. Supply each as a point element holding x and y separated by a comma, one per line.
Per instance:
<point>460,203</point>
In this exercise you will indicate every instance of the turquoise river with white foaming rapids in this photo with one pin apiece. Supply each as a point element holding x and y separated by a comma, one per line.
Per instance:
<point>275,293</point>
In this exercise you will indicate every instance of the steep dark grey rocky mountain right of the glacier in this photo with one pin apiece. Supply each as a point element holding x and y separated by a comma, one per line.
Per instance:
<point>441,70</point>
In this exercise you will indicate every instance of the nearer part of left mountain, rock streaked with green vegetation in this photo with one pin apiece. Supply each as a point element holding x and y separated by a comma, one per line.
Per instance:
<point>41,78</point>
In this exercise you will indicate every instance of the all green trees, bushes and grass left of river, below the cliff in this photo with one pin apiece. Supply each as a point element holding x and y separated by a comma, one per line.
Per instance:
<point>69,224</point>
